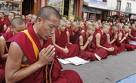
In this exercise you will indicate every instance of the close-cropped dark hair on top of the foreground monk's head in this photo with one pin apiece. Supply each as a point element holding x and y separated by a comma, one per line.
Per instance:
<point>46,11</point>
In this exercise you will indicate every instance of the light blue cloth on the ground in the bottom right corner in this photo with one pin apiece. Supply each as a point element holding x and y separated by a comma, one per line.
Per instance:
<point>129,79</point>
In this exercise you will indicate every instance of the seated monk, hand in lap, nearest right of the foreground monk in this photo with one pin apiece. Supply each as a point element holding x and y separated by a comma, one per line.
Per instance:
<point>61,41</point>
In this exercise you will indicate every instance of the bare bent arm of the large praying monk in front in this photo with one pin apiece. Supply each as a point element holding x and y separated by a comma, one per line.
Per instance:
<point>13,64</point>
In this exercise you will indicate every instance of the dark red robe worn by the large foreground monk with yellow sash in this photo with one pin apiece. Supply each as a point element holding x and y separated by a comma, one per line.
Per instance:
<point>57,76</point>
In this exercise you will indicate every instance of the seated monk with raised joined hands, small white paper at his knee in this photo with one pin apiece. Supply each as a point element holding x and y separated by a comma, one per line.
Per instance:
<point>85,40</point>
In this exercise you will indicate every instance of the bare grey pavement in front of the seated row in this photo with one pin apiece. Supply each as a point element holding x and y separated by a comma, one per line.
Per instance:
<point>109,70</point>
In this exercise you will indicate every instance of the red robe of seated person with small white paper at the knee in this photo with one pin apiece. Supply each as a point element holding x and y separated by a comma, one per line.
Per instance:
<point>88,53</point>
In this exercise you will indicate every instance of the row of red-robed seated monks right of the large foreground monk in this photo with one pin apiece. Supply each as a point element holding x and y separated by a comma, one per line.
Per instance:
<point>93,40</point>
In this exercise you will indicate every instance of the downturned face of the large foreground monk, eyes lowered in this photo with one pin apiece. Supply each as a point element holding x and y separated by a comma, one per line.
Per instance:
<point>47,27</point>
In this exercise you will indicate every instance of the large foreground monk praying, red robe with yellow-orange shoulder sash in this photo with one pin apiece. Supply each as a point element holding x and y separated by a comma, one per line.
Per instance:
<point>29,60</point>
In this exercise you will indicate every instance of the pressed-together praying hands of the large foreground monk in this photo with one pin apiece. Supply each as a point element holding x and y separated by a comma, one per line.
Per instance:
<point>46,55</point>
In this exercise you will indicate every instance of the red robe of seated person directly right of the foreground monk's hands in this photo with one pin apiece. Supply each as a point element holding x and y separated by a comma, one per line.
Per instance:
<point>62,41</point>
